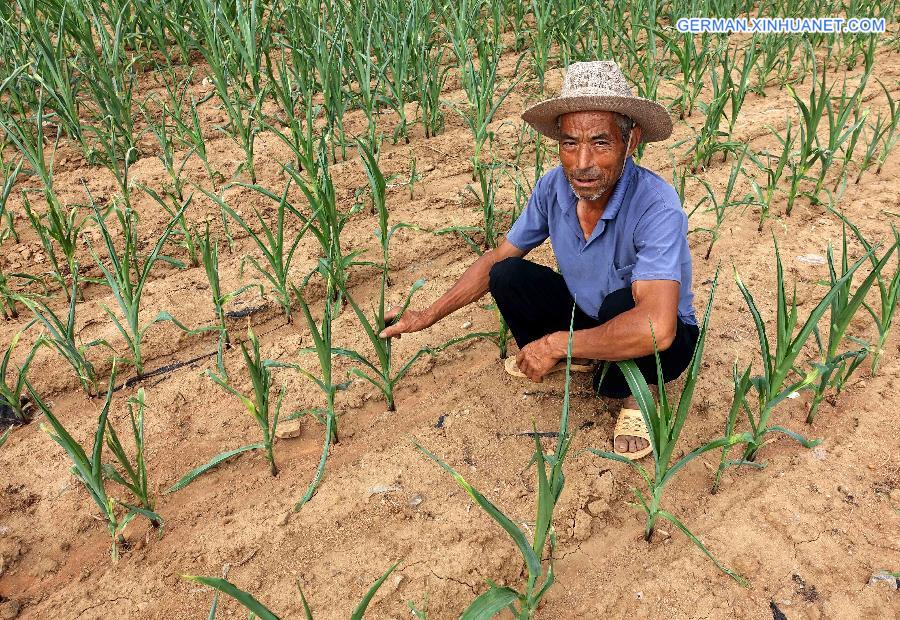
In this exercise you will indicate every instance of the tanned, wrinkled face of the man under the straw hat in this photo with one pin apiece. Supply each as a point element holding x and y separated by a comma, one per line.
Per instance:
<point>592,152</point>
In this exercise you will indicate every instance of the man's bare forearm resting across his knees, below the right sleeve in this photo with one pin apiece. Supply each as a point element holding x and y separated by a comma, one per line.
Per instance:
<point>626,336</point>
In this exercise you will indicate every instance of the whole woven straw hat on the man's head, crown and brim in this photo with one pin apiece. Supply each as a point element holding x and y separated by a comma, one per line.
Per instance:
<point>599,85</point>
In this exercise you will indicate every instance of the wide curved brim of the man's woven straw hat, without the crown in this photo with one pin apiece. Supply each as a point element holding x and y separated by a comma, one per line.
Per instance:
<point>654,119</point>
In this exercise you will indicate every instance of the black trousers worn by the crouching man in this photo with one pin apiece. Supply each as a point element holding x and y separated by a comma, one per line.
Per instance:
<point>535,301</point>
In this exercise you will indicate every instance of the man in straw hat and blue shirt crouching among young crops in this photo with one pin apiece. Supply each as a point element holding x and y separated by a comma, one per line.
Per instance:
<point>619,235</point>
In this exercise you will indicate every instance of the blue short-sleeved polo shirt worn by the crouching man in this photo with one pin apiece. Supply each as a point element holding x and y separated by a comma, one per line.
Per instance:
<point>642,235</point>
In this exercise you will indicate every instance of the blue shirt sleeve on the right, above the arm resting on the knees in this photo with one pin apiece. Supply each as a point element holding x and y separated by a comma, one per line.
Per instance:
<point>660,240</point>
